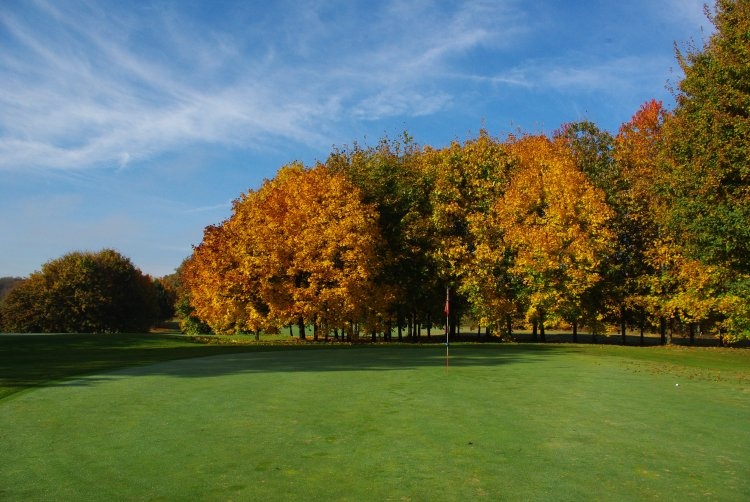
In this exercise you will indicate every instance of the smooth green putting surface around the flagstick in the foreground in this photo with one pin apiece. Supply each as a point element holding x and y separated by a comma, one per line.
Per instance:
<point>555,422</point>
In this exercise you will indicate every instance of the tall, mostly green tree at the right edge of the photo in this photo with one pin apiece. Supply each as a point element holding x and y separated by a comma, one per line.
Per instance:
<point>707,147</point>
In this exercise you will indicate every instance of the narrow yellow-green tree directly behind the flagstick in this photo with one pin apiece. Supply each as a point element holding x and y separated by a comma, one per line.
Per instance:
<point>468,178</point>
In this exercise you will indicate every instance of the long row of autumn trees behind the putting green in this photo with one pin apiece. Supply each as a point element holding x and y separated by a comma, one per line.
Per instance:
<point>646,228</point>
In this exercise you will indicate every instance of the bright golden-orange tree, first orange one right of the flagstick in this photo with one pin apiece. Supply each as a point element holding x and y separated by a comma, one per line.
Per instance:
<point>555,225</point>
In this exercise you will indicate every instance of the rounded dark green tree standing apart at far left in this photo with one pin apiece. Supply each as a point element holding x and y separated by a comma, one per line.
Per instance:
<point>82,292</point>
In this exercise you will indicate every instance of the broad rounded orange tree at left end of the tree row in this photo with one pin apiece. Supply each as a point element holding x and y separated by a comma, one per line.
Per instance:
<point>301,249</point>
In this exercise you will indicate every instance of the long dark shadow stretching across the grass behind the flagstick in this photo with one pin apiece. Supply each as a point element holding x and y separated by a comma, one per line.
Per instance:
<point>28,361</point>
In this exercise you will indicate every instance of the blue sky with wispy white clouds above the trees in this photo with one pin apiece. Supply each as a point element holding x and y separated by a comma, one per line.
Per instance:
<point>134,125</point>
